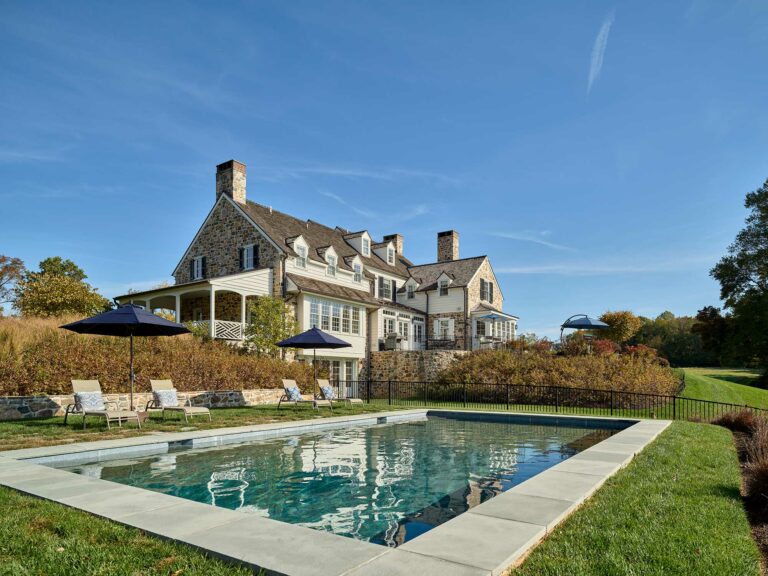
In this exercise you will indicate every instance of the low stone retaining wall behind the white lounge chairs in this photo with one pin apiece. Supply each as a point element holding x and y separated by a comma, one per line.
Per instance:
<point>20,407</point>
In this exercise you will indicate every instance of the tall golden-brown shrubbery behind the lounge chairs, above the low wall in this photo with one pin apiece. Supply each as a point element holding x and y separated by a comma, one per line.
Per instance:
<point>36,357</point>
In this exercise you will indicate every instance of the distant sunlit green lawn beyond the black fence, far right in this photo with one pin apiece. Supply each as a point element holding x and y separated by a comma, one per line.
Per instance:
<point>731,385</point>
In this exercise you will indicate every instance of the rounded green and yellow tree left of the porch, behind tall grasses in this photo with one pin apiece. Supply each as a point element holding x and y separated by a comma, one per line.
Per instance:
<point>58,288</point>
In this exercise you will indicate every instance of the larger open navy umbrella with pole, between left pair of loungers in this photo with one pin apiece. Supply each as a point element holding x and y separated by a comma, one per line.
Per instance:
<point>128,320</point>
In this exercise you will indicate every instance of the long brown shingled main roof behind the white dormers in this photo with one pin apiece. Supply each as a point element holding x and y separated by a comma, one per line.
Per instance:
<point>282,227</point>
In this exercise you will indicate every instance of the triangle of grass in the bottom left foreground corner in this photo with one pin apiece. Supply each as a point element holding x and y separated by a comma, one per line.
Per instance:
<point>42,537</point>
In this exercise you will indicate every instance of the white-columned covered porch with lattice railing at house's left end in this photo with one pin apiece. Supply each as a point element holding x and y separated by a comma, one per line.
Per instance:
<point>219,305</point>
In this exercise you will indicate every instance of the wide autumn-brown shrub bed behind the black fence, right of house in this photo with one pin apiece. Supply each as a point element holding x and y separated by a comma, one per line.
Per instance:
<point>623,373</point>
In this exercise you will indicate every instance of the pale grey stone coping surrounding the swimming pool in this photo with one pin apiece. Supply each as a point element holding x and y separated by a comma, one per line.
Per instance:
<point>487,539</point>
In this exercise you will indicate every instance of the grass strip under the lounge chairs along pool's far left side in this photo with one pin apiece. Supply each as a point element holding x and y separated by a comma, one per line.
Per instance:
<point>33,433</point>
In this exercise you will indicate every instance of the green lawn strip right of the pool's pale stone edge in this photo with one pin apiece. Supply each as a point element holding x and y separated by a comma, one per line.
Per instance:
<point>676,509</point>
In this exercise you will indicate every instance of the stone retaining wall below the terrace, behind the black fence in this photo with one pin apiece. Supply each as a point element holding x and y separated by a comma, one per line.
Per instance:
<point>411,366</point>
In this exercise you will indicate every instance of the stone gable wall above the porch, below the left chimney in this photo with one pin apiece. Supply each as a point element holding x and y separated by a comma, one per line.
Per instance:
<point>220,240</point>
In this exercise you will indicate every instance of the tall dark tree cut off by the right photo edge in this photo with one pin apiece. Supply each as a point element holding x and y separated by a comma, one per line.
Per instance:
<point>743,277</point>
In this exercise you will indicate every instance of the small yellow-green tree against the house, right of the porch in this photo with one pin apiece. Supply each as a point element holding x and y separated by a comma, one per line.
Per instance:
<point>271,321</point>
